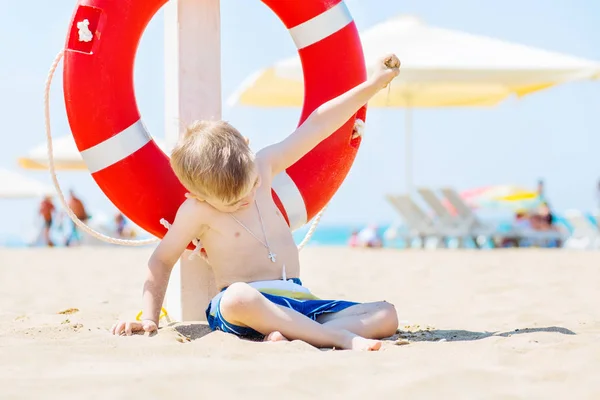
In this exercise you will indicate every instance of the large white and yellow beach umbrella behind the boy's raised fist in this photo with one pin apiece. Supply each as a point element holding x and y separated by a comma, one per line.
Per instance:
<point>440,68</point>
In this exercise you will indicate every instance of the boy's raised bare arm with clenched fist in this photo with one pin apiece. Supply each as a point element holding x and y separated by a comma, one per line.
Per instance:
<point>328,118</point>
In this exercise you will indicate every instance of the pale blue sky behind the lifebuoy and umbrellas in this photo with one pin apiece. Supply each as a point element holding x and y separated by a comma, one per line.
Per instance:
<point>552,134</point>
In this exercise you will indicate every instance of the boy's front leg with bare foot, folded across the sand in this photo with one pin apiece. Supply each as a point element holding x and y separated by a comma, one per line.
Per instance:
<point>243,305</point>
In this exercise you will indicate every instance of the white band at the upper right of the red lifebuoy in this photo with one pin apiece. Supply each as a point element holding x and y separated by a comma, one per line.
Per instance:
<point>323,25</point>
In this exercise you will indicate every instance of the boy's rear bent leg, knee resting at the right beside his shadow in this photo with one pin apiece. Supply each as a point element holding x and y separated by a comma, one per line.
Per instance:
<point>370,320</point>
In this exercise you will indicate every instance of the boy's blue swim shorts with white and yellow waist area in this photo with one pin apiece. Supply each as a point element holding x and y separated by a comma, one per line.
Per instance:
<point>290,294</point>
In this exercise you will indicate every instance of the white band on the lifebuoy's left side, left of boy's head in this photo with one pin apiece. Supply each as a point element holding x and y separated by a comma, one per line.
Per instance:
<point>116,148</point>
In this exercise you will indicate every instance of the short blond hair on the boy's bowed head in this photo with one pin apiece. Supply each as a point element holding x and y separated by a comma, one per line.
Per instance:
<point>213,160</point>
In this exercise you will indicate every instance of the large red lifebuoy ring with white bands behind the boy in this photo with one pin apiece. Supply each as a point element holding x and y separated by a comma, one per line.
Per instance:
<point>120,153</point>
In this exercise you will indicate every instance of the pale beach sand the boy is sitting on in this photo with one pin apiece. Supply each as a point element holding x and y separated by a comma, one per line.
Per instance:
<point>516,324</point>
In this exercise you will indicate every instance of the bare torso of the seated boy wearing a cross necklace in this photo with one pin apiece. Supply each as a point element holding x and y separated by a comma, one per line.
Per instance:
<point>236,255</point>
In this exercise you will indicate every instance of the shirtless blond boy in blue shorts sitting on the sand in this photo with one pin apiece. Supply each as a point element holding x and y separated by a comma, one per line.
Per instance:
<point>247,241</point>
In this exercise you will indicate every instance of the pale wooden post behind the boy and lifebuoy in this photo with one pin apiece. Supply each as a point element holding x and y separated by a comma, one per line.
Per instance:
<point>192,92</point>
